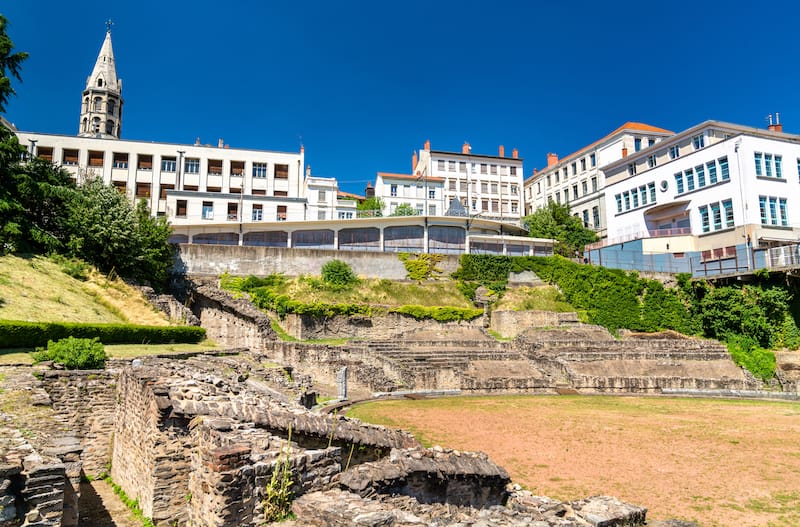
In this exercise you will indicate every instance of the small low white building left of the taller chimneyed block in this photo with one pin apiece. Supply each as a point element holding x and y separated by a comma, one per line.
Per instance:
<point>425,196</point>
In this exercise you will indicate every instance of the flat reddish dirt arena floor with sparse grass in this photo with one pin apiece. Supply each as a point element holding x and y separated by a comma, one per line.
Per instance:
<point>720,463</point>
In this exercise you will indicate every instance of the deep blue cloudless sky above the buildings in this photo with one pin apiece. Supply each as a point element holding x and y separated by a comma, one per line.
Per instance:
<point>362,84</point>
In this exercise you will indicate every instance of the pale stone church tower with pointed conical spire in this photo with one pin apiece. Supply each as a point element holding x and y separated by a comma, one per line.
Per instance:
<point>101,108</point>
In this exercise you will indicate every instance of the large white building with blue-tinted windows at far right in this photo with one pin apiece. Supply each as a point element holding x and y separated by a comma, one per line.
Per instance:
<point>710,189</point>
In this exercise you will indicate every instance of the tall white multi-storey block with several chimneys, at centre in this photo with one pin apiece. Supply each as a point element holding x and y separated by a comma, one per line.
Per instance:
<point>487,186</point>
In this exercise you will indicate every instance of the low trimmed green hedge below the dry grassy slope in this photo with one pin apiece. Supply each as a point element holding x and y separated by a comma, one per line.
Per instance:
<point>18,334</point>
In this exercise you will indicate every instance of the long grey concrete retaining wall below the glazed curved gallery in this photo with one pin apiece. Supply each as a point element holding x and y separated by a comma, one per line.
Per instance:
<point>196,259</point>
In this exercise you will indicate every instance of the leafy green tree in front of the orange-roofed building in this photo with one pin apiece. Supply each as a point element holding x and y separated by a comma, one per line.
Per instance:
<point>555,221</point>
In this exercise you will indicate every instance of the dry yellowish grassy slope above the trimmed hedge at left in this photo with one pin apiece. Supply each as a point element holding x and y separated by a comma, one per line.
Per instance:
<point>36,290</point>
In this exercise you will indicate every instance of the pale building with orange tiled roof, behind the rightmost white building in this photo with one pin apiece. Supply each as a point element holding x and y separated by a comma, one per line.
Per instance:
<point>578,180</point>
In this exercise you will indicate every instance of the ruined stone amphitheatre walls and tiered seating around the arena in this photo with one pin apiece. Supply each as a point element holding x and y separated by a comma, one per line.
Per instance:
<point>197,438</point>
